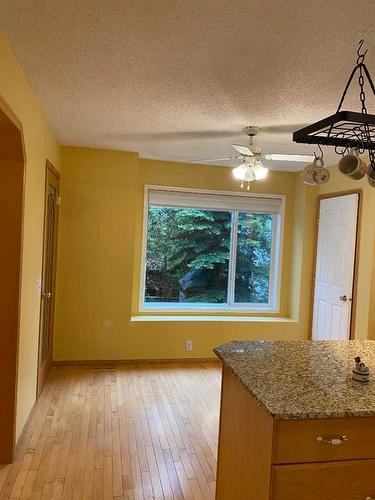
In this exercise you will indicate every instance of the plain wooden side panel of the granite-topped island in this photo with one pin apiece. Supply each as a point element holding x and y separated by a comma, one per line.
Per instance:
<point>245,444</point>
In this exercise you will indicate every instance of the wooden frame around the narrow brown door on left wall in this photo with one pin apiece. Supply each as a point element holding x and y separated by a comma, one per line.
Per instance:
<point>49,168</point>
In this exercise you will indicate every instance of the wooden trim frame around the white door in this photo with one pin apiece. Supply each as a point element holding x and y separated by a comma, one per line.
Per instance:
<point>353,311</point>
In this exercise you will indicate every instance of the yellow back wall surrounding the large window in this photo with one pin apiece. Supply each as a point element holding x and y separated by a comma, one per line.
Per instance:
<point>99,260</point>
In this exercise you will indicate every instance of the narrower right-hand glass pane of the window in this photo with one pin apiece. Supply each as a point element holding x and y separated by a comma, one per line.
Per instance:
<point>254,240</point>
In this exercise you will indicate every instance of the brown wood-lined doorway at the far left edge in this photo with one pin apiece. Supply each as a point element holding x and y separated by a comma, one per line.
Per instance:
<point>12,167</point>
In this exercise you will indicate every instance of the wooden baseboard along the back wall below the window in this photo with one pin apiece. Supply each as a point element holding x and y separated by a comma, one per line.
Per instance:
<point>114,362</point>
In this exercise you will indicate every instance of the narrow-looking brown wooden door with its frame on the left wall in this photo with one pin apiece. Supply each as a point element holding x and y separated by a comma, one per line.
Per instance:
<point>47,306</point>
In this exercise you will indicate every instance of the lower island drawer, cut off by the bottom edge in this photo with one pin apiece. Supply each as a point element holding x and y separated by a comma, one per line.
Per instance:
<point>327,481</point>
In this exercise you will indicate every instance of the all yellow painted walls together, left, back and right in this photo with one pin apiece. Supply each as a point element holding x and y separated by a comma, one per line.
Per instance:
<point>100,244</point>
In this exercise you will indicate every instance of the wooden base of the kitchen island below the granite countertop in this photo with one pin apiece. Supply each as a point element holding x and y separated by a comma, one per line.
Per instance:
<point>261,458</point>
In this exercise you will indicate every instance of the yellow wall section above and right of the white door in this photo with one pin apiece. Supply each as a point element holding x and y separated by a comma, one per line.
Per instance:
<point>365,315</point>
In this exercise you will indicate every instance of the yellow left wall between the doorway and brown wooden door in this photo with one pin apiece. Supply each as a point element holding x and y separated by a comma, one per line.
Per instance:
<point>40,144</point>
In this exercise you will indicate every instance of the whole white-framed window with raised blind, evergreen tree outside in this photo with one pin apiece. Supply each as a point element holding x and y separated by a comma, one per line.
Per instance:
<point>206,250</point>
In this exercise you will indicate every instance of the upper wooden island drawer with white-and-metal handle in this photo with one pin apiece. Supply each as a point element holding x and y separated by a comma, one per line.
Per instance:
<point>296,441</point>
